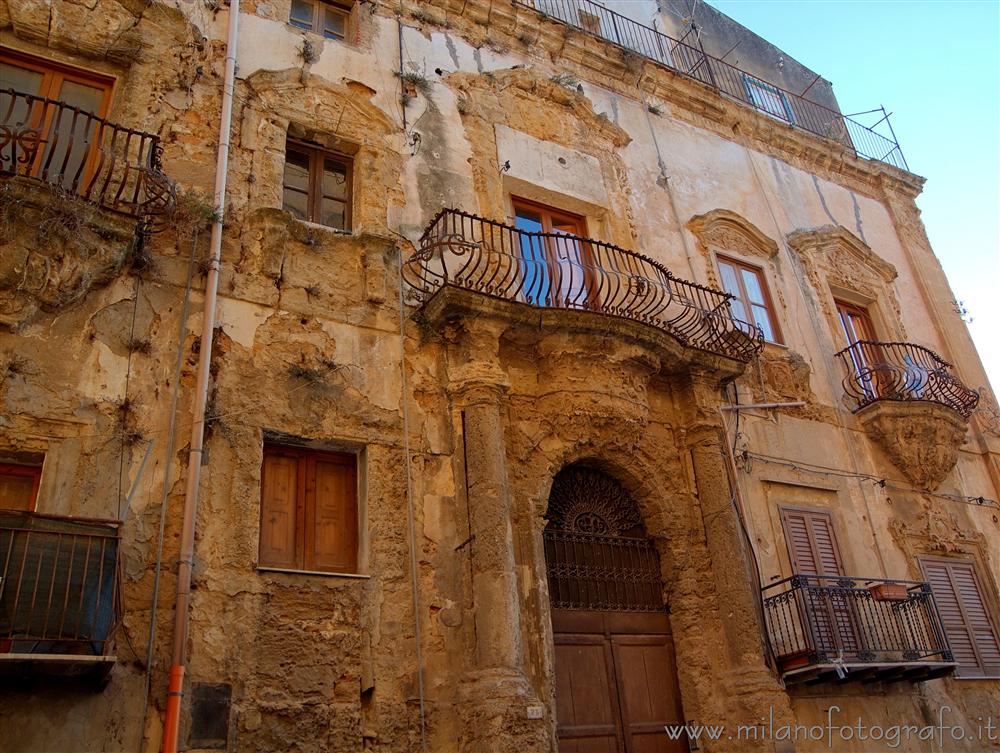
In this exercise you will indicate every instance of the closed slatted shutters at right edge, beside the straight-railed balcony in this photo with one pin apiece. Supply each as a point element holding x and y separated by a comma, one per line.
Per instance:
<point>967,622</point>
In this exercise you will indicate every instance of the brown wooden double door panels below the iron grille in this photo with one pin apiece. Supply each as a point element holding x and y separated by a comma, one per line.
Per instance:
<point>616,682</point>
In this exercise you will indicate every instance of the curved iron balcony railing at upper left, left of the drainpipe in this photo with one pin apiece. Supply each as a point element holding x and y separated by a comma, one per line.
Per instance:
<point>82,155</point>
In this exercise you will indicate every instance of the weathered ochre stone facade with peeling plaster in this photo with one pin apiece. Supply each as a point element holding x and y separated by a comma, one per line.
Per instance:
<point>462,410</point>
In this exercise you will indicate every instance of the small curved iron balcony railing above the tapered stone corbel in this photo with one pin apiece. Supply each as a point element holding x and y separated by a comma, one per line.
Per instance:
<point>902,372</point>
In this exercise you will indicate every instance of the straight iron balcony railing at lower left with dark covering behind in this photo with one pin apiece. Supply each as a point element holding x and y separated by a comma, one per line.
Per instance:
<point>60,584</point>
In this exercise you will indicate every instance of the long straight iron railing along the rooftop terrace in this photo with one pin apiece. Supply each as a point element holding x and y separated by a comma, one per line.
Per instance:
<point>689,59</point>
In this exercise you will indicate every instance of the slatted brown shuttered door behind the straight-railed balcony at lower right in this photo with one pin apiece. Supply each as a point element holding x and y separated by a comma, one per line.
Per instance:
<point>813,550</point>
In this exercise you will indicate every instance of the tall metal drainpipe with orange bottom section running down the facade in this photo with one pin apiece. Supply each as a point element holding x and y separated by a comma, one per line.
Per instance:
<point>175,692</point>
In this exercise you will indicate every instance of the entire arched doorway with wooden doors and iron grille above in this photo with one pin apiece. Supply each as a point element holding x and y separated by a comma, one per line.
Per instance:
<point>616,676</point>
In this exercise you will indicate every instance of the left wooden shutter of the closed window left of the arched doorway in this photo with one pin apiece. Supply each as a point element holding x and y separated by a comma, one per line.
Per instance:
<point>279,510</point>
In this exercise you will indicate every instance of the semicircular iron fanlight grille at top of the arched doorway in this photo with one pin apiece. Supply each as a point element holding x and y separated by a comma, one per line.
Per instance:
<point>585,500</point>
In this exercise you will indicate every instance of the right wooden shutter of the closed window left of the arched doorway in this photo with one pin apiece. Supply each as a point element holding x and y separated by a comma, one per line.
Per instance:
<point>332,514</point>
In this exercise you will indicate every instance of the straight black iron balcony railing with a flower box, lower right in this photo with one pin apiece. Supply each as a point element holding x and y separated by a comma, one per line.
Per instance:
<point>822,627</point>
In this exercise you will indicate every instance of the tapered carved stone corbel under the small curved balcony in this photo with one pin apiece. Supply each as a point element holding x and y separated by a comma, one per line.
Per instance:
<point>921,439</point>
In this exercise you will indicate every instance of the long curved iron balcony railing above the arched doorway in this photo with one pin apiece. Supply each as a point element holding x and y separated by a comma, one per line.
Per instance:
<point>556,270</point>
